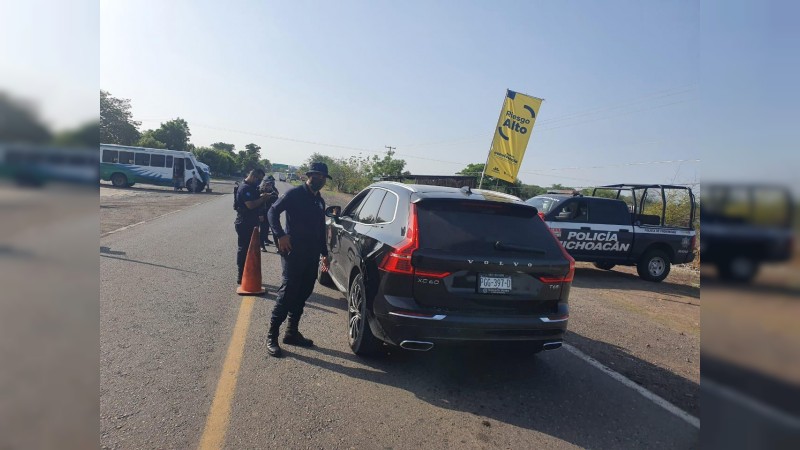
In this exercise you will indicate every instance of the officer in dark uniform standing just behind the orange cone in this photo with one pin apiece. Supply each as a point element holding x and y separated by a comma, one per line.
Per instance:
<point>249,204</point>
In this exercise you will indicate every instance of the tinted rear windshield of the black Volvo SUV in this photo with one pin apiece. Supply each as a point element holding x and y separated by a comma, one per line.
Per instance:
<point>475,227</point>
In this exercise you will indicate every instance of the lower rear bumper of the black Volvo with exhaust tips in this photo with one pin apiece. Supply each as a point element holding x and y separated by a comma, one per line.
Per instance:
<point>397,327</point>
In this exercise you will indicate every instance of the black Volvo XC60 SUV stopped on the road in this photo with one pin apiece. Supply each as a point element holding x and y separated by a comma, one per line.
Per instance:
<point>422,265</point>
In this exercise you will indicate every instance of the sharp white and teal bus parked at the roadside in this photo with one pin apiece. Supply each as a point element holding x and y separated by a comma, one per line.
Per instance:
<point>125,166</point>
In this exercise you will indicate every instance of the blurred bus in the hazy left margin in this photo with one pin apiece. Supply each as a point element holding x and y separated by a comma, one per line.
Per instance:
<point>32,165</point>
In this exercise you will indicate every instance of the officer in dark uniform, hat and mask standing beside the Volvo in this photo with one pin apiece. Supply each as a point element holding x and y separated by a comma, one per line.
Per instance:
<point>300,247</point>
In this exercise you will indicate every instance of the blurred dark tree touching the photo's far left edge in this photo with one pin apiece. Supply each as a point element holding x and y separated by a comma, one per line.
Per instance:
<point>19,122</point>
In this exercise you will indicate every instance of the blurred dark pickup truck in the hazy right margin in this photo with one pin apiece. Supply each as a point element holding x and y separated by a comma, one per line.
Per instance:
<point>745,225</point>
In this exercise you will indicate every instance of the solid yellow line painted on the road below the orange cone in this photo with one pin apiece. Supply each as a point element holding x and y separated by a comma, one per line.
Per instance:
<point>219,415</point>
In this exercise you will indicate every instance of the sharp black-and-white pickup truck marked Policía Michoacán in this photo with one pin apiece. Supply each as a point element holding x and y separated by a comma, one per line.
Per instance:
<point>609,232</point>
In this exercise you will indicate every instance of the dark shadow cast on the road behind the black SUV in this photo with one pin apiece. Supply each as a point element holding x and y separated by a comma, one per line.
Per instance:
<point>545,393</point>
